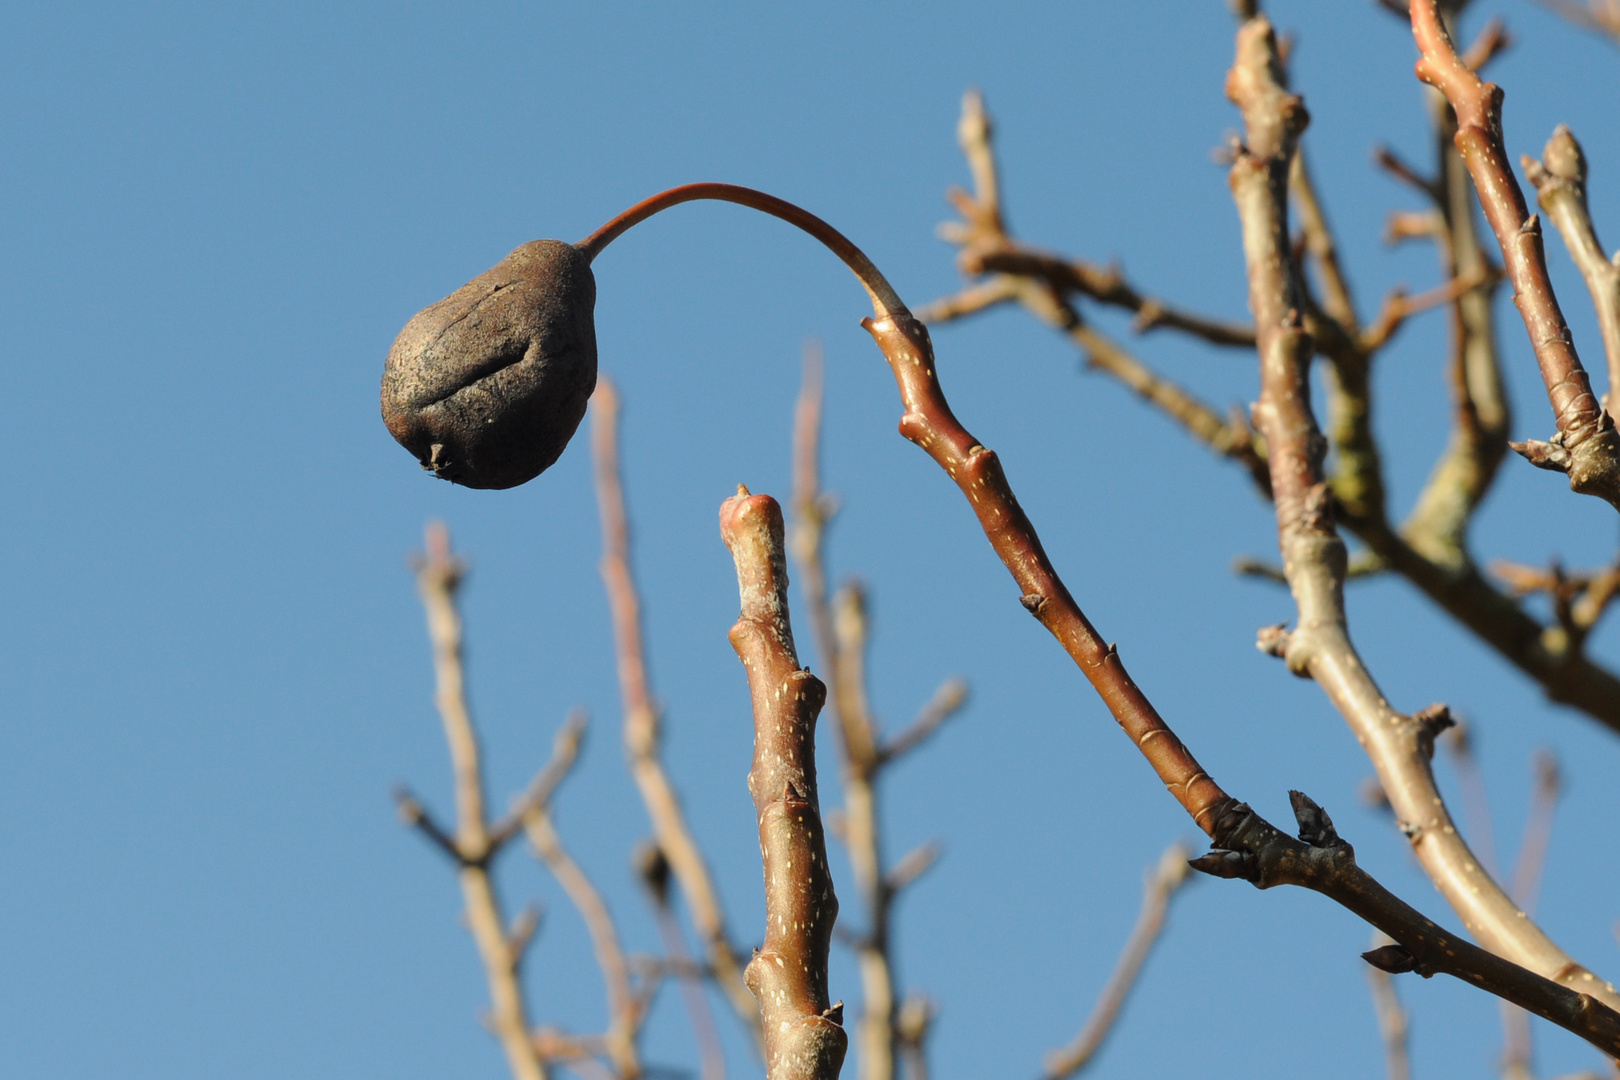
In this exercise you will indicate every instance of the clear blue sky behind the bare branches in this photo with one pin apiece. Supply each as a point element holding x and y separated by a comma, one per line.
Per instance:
<point>213,223</point>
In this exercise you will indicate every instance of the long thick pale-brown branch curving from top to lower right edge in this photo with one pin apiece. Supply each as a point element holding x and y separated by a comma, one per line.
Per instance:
<point>1315,556</point>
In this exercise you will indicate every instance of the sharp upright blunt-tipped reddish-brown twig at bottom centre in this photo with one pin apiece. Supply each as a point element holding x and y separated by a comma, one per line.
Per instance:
<point>804,1035</point>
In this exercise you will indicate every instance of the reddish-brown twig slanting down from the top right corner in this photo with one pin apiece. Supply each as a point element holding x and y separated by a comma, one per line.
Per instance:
<point>1585,446</point>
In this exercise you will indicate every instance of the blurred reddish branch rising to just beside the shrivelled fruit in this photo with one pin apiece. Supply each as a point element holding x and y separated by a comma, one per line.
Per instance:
<point>642,721</point>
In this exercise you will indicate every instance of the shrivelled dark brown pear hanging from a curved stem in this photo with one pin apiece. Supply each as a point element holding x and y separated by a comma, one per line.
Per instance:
<point>488,385</point>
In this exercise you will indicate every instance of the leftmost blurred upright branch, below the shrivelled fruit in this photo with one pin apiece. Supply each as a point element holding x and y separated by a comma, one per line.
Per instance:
<point>438,577</point>
